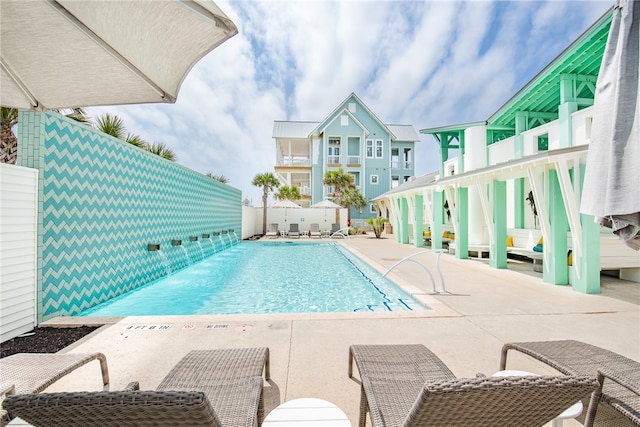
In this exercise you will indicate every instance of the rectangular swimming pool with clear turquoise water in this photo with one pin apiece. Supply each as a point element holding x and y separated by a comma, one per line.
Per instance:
<point>265,277</point>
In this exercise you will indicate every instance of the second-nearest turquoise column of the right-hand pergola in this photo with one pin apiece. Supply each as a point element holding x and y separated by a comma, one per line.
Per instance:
<point>556,250</point>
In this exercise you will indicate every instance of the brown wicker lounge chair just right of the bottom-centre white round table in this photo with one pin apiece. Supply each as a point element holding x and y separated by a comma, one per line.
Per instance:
<point>407,385</point>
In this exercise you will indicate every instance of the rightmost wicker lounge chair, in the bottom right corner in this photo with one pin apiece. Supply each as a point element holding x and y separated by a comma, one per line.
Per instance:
<point>617,401</point>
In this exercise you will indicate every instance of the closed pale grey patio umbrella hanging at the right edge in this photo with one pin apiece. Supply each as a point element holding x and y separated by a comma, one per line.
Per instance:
<point>611,191</point>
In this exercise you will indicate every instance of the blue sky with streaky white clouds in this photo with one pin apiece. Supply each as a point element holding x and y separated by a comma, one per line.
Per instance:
<point>425,64</point>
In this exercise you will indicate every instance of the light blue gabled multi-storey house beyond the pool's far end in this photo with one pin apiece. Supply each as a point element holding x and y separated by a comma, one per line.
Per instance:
<point>379,156</point>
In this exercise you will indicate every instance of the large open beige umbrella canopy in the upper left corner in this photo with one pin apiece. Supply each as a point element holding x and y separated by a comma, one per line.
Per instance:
<point>68,53</point>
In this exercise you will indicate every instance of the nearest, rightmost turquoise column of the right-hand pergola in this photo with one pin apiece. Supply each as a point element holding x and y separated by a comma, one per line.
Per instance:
<point>589,281</point>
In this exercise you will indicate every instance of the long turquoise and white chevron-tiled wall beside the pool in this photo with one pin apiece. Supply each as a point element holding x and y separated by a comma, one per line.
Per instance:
<point>102,201</point>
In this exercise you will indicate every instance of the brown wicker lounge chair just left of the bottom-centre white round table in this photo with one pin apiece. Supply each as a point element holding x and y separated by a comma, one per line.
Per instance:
<point>206,388</point>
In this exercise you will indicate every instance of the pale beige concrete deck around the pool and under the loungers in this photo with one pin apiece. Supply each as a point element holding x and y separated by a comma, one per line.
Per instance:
<point>466,329</point>
